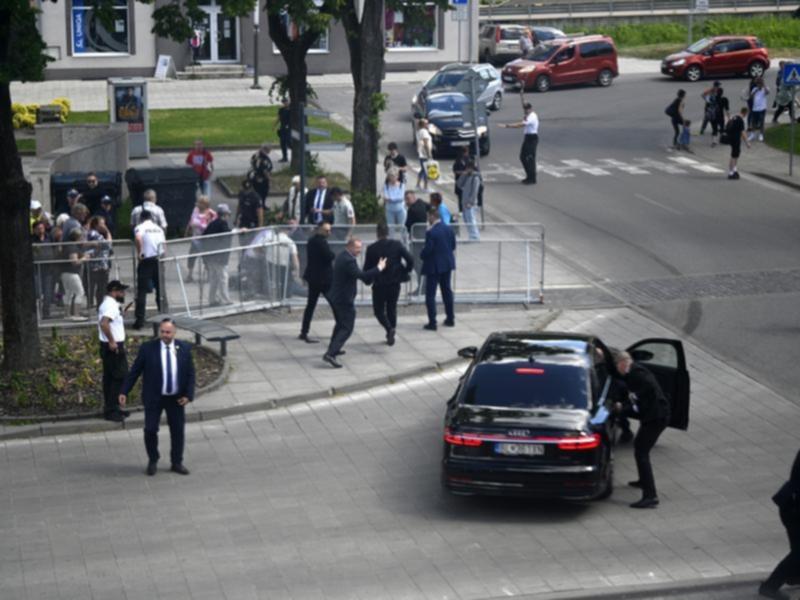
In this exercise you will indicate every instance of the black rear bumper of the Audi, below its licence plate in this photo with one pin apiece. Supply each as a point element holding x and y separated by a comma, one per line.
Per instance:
<point>580,482</point>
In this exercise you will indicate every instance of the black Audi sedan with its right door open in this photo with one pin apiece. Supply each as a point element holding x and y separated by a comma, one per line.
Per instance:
<point>532,414</point>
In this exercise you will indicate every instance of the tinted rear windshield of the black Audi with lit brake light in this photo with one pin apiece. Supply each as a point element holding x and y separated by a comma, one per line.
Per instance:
<point>525,384</point>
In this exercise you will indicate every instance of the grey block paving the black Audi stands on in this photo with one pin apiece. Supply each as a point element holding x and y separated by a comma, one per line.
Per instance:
<point>339,498</point>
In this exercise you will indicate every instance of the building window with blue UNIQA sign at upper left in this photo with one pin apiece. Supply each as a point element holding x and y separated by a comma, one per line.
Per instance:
<point>91,37</point>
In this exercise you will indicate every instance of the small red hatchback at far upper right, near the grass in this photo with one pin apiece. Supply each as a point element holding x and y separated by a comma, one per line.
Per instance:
<point>721,55</point>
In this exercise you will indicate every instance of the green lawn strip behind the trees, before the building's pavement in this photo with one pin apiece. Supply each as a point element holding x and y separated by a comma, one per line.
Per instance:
<point>218,127</point>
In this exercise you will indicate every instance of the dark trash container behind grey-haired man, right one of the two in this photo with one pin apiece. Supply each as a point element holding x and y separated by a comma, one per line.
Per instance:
<point>175,188</point>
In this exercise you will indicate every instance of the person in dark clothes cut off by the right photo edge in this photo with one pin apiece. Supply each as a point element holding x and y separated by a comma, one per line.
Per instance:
<point>788,570</point>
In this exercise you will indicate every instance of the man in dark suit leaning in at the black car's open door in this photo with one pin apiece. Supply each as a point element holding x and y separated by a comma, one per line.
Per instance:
<point>650,405</point>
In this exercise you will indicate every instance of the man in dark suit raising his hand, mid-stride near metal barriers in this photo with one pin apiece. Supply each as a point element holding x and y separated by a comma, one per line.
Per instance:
<point>342,296</point>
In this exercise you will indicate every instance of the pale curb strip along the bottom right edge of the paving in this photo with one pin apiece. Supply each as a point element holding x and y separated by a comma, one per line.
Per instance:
<point>747,581</point>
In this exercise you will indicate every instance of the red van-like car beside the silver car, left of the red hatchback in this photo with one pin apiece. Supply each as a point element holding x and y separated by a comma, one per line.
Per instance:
<point>586,59</point>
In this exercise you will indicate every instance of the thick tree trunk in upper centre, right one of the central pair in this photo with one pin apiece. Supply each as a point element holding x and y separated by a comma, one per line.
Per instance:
<point>365,40</point>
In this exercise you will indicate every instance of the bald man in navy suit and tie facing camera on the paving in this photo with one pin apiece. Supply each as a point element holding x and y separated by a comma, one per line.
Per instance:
<point>167,371</point>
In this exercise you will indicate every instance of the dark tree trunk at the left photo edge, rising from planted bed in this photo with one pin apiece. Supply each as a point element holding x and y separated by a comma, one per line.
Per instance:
<point>20,328</point>
